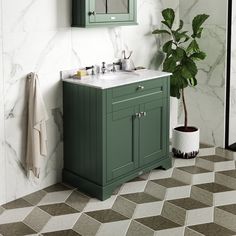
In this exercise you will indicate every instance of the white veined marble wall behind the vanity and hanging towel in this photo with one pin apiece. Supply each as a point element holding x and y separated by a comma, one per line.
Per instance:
<point>37,37</point>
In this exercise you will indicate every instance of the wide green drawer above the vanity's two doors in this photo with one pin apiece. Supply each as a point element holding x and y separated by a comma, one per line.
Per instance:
<point>136,93</point>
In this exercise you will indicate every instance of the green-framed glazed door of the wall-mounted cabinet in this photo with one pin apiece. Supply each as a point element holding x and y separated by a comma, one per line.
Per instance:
<point>108,11</point>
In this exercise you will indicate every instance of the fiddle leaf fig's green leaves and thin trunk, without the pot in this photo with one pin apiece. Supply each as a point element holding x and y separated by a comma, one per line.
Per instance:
<point>182,51</point>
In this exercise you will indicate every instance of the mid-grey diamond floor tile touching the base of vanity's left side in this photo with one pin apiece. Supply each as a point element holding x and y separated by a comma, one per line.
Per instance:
<point>77,200</point>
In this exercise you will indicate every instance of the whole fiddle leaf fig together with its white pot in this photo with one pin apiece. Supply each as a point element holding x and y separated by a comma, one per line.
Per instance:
<point>182,51</point>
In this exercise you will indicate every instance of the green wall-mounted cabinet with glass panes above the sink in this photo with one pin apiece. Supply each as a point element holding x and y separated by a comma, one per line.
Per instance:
<point>92,13</point>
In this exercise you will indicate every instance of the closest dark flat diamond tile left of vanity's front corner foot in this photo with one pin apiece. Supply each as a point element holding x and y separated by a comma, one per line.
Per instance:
<point>58,209</point>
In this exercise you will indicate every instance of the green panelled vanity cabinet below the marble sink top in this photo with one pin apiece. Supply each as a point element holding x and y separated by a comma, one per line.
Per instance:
<point>114,135</point>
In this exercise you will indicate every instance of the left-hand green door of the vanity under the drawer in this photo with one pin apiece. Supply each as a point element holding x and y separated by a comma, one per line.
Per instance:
<point>122,142</point>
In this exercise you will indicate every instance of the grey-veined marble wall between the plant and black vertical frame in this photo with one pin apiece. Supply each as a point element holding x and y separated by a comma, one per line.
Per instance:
<point>206,101</point>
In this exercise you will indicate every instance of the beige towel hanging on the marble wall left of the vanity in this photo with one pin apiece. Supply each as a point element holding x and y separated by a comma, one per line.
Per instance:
<point>36,127</point>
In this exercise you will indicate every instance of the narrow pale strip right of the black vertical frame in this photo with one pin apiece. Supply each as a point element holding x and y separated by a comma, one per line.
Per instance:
<point>232,120</point>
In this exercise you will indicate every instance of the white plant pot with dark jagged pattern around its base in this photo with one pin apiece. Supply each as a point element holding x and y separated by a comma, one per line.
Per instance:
<point>185,144</point>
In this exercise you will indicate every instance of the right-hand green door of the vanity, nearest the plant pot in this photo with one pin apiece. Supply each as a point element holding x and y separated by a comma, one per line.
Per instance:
<point>153,131</point>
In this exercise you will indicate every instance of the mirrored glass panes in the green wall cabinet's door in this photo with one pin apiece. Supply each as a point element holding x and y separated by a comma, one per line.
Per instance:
<point>112,6</point>
